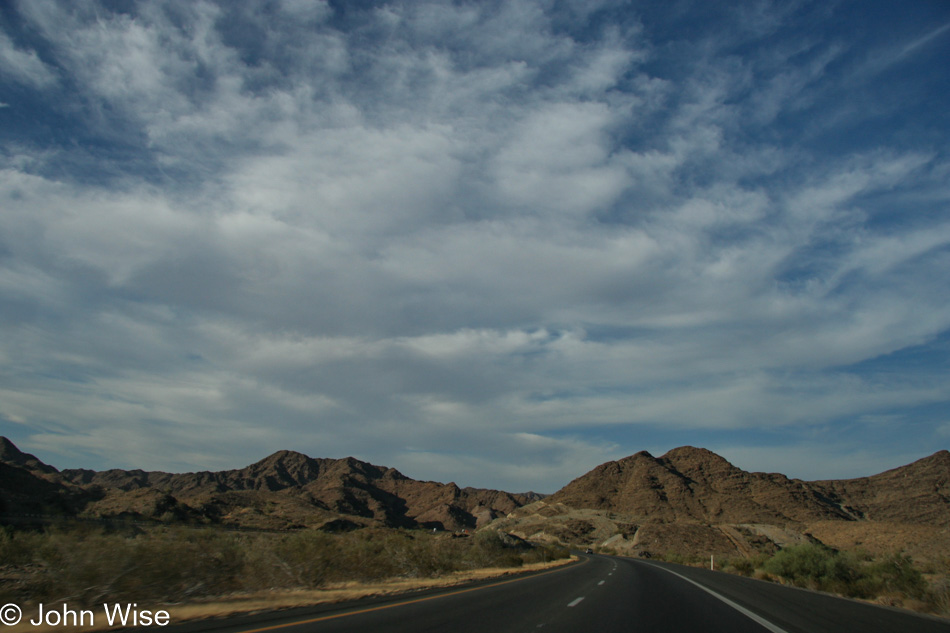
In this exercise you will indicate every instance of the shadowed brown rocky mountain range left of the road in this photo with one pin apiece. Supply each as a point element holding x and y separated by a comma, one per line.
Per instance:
<point>284,490</point>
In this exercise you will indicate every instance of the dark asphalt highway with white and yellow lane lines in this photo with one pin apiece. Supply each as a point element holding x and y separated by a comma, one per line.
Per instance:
<point>600,594</point>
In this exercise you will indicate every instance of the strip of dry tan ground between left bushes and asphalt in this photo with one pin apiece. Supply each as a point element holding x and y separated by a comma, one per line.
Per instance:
<point>262,601</point>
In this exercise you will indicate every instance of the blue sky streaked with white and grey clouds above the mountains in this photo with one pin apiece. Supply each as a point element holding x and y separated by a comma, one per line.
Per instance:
<point>496,243</point>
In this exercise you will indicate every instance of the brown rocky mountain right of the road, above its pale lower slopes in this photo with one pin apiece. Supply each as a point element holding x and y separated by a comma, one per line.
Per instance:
<point>690,484</point>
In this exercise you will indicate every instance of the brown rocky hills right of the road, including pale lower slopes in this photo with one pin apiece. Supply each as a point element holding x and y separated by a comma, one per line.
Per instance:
<point>693,502</point>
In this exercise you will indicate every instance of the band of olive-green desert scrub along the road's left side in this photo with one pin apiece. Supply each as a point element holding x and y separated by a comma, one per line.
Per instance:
<point>87,567</point>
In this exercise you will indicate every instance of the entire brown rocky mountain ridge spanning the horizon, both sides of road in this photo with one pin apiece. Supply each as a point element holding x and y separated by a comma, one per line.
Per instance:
<point>687,487</point>
